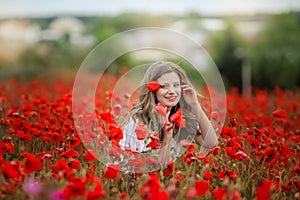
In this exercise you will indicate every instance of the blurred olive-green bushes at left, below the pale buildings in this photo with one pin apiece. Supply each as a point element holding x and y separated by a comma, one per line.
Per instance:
<point>44,57</point>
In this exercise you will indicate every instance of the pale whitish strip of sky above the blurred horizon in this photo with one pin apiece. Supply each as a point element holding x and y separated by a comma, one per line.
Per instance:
<point>38,8</point>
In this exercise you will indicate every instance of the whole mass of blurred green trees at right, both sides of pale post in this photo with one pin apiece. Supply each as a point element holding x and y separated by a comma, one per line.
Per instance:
<point>274,54</point>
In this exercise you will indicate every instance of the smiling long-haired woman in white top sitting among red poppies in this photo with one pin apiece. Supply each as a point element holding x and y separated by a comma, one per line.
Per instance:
<point>172,90</point>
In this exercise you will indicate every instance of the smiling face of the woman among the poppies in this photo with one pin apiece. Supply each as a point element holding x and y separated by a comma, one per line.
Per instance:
<point>170,91</point>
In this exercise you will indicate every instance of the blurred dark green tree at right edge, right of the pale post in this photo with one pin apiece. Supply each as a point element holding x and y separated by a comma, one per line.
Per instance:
<point>275,56</point>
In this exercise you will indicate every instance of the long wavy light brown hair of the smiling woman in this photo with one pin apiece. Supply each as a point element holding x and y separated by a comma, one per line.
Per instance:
<point>141,110</point>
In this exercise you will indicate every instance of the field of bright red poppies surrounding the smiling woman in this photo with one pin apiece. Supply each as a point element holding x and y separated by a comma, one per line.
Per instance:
<point>42,155</point>
